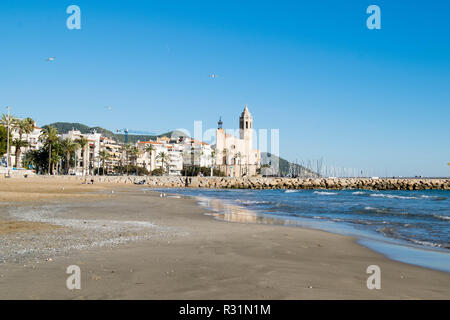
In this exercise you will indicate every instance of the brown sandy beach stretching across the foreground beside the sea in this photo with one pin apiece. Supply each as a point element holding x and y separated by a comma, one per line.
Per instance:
<point>131,243</point>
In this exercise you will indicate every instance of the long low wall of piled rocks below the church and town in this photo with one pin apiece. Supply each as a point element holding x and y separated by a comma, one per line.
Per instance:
<point>274,183</point>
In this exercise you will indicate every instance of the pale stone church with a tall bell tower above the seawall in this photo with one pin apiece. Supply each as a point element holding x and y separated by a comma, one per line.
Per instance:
<point>236,157</point>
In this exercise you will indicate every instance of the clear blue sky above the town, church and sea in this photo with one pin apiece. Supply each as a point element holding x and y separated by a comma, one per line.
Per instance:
<point>371,99</point>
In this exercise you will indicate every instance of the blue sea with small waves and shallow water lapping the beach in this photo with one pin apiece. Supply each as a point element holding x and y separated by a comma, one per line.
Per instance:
<point>408,226</point>
